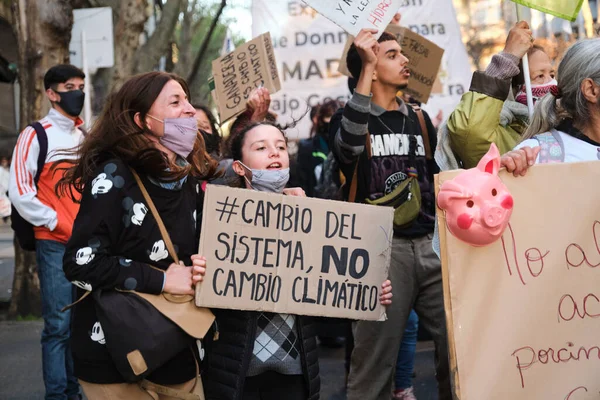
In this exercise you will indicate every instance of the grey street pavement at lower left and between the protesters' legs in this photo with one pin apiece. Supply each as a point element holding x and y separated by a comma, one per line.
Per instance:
<point>20,351</point>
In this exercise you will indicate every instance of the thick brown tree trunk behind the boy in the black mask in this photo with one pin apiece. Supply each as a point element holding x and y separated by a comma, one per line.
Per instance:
<point>43,31</point>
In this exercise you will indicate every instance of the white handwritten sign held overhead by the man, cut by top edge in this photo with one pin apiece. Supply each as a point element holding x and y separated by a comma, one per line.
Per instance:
<point>352,16</point>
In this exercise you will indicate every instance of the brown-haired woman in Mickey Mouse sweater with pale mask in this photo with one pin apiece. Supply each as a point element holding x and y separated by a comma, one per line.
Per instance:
<point>148,126</point>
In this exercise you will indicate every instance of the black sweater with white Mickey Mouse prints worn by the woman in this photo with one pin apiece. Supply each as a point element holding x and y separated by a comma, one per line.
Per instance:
<point>115,241</point>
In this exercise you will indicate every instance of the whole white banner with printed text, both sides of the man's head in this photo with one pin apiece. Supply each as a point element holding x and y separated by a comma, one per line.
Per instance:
<point>308,47</point>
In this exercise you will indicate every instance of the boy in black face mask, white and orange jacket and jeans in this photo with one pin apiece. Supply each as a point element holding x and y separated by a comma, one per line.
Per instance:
<point>31,191</point>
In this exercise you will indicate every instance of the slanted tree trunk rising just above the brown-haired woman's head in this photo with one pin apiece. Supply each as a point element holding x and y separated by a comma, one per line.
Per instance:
<point>148,55</point>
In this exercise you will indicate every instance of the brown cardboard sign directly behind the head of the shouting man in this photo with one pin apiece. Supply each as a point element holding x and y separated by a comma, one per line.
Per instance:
<point>424,60</point>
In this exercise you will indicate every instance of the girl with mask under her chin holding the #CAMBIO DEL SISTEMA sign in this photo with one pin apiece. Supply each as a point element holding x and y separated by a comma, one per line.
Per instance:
<point>261,355</point>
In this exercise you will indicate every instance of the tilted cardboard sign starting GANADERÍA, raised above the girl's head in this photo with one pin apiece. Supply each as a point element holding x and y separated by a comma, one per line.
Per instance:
<point>236,74</point>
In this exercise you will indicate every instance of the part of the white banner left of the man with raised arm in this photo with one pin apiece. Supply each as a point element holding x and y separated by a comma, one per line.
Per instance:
<point>307,48</point>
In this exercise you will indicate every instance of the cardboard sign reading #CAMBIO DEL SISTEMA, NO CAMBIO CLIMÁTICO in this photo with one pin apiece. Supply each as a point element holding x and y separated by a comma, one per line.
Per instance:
<point>297,255</point>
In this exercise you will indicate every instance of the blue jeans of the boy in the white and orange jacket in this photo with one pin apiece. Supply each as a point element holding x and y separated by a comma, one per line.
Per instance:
<point>57,292</point>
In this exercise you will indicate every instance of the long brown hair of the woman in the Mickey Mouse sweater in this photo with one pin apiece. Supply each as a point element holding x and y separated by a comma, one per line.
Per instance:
<point>116,135</point>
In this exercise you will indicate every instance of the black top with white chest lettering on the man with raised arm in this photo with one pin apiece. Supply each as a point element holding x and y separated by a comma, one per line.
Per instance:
<point>390,133</point>
